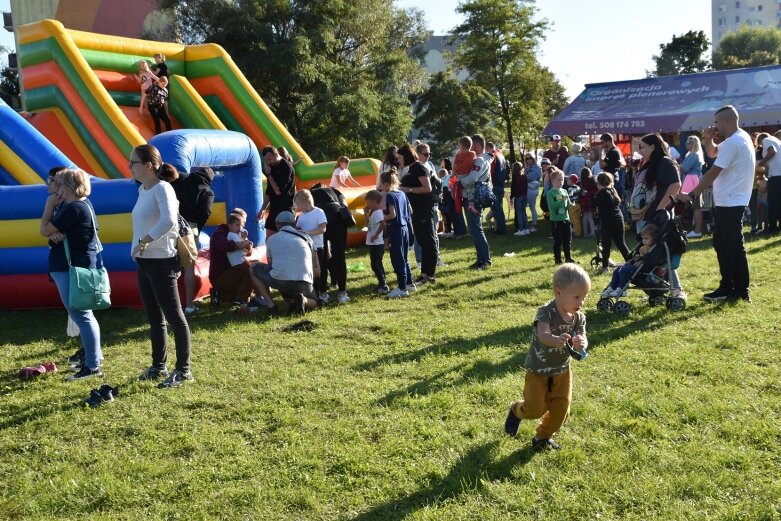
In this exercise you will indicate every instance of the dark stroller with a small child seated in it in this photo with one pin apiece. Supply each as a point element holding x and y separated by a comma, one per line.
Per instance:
<point>653,271</point>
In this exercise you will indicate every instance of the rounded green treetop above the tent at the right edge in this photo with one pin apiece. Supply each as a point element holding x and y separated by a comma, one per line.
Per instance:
<point>748,47</point>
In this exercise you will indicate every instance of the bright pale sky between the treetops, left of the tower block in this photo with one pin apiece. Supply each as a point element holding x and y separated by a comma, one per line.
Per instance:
<point>595,42</point>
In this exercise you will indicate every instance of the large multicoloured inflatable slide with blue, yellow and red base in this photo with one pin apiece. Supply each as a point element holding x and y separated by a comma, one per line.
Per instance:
<point>83,103</point>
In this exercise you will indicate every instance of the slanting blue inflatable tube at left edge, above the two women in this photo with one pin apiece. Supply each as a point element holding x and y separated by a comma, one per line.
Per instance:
<point>29,144</point>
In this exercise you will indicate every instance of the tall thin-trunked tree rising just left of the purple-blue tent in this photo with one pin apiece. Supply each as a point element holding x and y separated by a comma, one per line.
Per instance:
<point>498,43</point>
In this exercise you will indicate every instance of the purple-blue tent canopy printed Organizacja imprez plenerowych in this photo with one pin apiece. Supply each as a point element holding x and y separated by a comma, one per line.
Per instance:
<point>673,103</point>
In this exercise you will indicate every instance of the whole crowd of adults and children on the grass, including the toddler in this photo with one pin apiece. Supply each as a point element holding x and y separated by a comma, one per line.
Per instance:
<point>303,251</point>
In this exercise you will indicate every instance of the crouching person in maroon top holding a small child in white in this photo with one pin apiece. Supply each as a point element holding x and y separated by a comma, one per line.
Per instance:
<point>232,283</point>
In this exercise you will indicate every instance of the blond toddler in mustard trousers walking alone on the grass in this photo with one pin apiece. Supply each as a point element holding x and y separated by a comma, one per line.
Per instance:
<point>547,391</point>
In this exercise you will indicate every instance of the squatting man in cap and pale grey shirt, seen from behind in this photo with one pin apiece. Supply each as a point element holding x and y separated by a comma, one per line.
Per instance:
<point>291,266</point>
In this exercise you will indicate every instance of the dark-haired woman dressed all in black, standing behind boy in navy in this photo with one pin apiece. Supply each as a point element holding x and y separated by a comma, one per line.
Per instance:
<point>416,185</point>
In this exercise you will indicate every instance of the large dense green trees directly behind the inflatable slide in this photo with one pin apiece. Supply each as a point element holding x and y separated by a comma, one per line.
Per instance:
<point>338,74</point>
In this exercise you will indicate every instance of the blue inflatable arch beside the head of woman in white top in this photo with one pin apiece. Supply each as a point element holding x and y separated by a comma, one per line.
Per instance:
<point>232,153</point>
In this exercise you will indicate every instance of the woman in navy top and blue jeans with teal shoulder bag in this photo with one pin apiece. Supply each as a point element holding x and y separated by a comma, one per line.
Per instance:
<point>74,221</point>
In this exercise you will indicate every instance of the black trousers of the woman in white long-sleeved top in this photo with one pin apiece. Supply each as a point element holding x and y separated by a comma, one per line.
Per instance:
<point>157,283</point>
